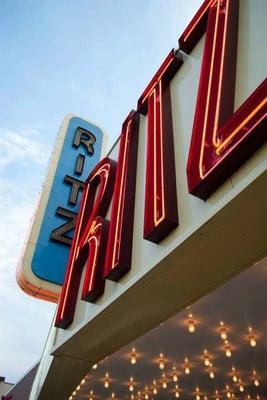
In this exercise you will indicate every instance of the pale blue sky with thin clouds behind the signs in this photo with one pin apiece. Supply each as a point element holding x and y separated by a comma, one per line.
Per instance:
<point>89,57</point>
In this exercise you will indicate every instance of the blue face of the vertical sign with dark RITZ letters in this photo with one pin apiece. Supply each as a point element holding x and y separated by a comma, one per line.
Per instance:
<point>79,153</point>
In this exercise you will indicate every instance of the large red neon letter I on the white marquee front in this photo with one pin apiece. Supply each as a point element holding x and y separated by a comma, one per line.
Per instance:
<point>119,249</point>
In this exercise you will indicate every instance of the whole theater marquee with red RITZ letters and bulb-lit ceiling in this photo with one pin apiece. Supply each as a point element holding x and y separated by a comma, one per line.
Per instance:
<point>165,289</point>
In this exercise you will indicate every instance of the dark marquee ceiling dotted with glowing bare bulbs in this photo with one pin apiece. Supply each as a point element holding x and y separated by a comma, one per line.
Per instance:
<point>215,349</point>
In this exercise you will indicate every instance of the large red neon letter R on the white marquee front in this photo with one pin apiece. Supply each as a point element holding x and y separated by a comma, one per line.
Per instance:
<point>89,243</point>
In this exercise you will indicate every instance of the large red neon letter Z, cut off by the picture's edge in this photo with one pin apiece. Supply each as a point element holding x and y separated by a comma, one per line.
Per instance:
<point>221,140</point>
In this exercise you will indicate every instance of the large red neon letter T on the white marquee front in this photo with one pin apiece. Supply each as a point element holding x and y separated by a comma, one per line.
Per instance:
<point>161,214</point>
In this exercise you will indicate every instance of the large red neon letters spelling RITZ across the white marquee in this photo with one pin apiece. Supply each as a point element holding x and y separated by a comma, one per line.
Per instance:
<point>221,141</point>
